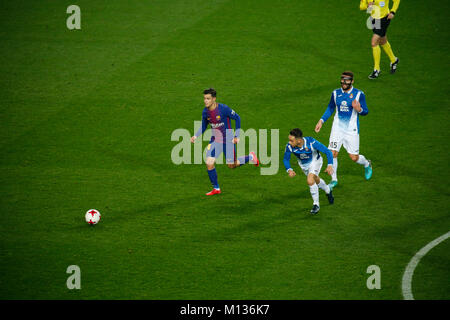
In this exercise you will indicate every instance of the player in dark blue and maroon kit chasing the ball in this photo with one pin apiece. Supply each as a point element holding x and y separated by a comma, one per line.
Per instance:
<point>218,115</point>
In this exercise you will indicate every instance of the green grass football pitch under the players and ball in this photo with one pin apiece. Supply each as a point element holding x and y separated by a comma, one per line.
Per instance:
<point>86,122</point>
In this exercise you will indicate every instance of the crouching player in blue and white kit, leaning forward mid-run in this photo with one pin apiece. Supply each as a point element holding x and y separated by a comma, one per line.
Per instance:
<point>306,149</point>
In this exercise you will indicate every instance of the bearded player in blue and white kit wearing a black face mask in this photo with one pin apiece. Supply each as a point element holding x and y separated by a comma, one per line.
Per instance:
<point>350,103</point>
